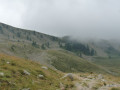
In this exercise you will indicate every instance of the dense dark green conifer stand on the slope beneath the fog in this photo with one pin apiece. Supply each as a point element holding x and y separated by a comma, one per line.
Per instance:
<point>77,47</point>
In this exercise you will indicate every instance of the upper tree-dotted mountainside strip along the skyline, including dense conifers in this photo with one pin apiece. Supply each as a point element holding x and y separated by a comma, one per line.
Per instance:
<point>40,40</point>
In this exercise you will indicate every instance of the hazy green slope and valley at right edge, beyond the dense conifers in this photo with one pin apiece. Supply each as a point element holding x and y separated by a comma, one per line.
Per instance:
<point>111,58</point>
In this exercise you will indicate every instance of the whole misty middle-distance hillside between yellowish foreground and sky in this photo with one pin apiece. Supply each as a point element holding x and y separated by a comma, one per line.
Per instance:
<point>63,54</point>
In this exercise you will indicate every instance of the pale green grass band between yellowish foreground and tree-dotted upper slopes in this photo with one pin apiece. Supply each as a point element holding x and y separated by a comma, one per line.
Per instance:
<point>61,59</point>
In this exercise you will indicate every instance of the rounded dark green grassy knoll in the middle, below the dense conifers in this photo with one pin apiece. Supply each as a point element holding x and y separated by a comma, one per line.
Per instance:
<point>68,62</point>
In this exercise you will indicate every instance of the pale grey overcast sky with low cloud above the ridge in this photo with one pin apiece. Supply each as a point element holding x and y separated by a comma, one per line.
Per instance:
<point>79,18</point>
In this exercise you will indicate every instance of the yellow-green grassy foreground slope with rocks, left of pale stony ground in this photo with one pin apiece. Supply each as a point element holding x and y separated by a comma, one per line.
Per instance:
<point>18,74</point>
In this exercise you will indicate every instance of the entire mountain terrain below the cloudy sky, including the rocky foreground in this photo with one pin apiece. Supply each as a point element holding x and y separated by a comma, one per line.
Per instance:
<point>65,63</point>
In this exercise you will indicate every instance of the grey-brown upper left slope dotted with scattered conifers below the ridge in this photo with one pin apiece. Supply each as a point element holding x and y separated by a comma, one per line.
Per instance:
<point>21,35</point>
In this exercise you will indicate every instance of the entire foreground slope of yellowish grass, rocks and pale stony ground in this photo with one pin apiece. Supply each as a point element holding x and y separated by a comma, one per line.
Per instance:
<point>22,74</point>
